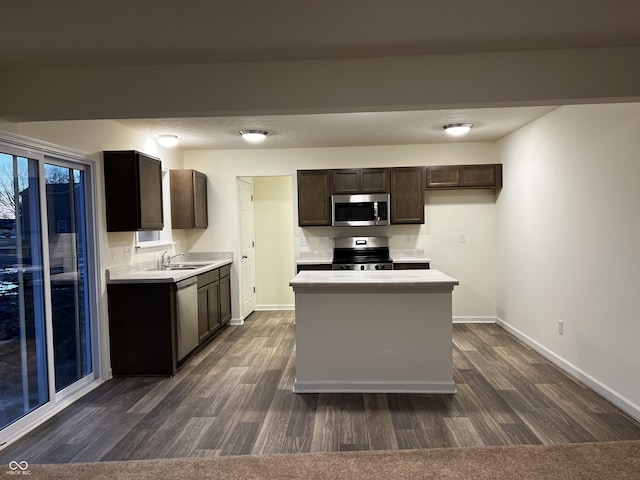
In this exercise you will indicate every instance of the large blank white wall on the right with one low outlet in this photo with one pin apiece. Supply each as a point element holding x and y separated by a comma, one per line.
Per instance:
<point>568,242</point>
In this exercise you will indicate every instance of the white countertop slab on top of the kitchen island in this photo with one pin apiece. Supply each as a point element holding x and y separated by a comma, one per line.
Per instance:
<point>374,281</point>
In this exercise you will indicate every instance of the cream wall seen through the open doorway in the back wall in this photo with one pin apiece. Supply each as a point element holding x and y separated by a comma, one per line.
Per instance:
<point>273,230</point>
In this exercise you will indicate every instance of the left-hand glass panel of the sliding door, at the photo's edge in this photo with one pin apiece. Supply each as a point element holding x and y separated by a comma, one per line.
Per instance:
<point>23,356</point>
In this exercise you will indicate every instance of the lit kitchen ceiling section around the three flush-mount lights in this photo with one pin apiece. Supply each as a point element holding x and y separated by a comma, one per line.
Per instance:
<point>341,129</point>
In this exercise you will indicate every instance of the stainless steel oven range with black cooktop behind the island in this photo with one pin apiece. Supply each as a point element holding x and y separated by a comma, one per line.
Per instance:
<point>361,253</point>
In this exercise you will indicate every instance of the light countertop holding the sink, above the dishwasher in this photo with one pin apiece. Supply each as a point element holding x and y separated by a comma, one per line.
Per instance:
<point>148,272</point>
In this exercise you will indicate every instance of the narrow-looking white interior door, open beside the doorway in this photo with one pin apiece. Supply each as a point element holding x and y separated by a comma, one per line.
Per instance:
<point>247,247</point>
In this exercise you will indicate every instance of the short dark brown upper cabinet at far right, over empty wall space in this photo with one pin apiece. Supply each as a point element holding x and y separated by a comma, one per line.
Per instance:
<point>464,176</point>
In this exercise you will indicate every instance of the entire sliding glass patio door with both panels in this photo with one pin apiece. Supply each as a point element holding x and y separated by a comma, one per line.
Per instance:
<point>46,299</point>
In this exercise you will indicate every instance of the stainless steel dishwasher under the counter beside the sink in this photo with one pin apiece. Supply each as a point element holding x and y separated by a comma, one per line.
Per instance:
<point>187,307</point>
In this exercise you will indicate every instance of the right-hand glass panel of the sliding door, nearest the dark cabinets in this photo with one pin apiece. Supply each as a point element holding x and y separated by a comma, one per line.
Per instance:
<point>67,265</point>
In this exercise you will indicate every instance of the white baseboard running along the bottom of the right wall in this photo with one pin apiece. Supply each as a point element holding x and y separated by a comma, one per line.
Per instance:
<point>594,384</point>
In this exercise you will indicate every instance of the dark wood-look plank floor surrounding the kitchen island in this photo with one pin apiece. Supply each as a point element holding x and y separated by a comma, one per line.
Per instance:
<point>235,397</point>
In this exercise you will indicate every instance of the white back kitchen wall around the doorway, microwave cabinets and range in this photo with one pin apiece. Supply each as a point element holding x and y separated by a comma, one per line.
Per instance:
<point>447,214</point>
